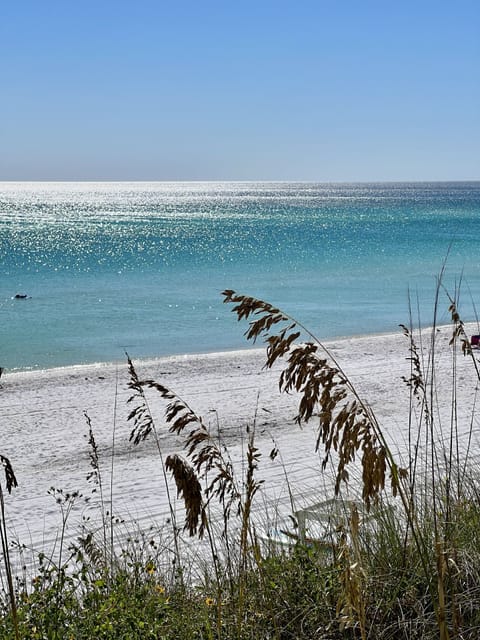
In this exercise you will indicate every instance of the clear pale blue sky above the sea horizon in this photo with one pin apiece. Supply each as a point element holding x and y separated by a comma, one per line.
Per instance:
<point>326,90</point>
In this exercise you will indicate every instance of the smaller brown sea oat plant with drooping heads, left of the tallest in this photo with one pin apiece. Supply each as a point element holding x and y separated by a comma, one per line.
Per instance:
<point>204,473</point>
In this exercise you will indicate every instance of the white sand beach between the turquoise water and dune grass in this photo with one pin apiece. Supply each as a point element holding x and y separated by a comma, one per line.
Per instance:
<point>44,427</point>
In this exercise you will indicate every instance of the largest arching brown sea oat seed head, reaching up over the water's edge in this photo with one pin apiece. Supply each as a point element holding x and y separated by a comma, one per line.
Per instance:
<point>347,426</point>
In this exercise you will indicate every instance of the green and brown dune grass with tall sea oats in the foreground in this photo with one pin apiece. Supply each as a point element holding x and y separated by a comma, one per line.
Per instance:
<point>402,563</point>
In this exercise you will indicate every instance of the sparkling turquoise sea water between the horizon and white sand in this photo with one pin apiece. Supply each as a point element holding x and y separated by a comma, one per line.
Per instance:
<point>140,266</point>
